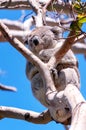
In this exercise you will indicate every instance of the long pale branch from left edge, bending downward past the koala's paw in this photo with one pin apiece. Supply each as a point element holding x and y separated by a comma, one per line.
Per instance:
<point>31,57</point>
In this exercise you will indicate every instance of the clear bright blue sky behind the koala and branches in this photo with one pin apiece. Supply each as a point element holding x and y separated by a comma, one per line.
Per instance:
<point>13,66</point>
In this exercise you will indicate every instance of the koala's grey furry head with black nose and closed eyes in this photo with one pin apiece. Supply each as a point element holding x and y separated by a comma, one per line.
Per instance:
<point>42,38</point>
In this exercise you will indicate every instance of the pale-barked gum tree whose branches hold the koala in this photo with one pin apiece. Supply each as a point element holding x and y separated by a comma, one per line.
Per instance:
<point>67,15</point>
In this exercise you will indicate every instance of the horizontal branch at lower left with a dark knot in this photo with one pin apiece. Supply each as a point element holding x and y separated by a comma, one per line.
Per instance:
<point>30,116</point>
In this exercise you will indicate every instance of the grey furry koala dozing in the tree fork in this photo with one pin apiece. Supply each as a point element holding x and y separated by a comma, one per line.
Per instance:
<point>44,42</point>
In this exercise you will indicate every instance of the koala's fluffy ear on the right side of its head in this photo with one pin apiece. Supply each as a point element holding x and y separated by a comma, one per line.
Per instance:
<point>57,31</point>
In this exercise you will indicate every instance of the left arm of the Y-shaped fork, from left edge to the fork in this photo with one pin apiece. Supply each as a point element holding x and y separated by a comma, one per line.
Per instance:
<point>20,47</point>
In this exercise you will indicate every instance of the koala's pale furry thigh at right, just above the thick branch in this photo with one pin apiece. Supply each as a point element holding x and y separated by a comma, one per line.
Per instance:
<point>67,76</point>
